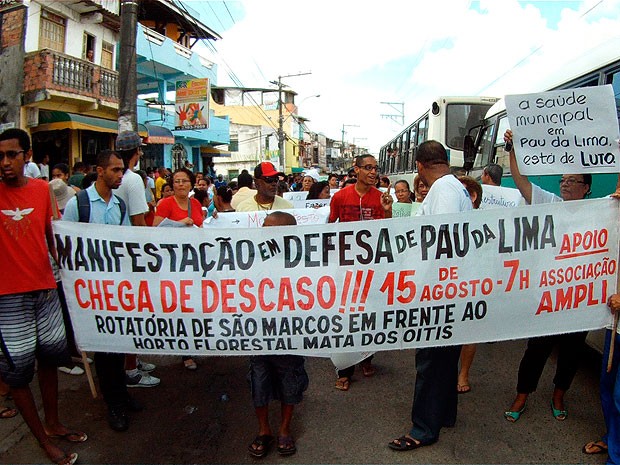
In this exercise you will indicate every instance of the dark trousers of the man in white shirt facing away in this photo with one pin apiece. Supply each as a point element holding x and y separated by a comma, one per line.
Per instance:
<point>435,398</point>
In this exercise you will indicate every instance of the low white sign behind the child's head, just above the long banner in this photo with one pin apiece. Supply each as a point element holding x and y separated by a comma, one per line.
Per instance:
<point>256,219</point>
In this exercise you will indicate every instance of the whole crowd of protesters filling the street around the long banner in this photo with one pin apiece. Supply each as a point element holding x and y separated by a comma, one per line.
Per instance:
<point>35,325</point>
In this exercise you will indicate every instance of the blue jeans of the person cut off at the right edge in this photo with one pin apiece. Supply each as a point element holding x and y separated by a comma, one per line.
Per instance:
<point>610,399</point>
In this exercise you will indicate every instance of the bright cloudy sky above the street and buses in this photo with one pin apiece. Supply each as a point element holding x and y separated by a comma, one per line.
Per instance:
<point>361,53</point>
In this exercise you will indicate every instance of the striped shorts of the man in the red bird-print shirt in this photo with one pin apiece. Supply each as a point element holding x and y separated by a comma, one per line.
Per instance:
<point>31,326</point>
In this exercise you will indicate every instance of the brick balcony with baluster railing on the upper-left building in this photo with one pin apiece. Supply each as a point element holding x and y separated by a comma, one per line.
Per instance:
<point>48,73</point>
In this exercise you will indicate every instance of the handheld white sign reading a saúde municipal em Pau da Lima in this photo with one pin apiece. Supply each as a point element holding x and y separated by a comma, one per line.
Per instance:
<point>565,131</point>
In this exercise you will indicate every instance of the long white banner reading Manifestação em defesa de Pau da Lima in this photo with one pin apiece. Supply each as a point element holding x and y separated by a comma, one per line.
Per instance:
<point>344,287</point>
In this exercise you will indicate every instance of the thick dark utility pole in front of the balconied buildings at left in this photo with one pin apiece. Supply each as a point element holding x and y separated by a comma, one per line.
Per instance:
<point>128,83</point>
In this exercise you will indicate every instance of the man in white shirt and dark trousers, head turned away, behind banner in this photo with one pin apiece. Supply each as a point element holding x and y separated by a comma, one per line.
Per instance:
<point>435,399</point>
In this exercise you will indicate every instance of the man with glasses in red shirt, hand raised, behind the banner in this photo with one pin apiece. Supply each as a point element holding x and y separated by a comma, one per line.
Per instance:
<point>360,202</point>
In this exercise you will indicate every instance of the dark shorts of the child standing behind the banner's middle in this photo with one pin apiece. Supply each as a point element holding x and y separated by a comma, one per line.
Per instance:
<point>277,377</point>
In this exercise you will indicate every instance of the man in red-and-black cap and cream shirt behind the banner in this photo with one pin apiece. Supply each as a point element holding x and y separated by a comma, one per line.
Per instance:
<point>266,179</point>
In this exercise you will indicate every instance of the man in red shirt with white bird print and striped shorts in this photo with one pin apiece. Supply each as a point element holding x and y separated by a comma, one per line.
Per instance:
<point>31,324</point>
